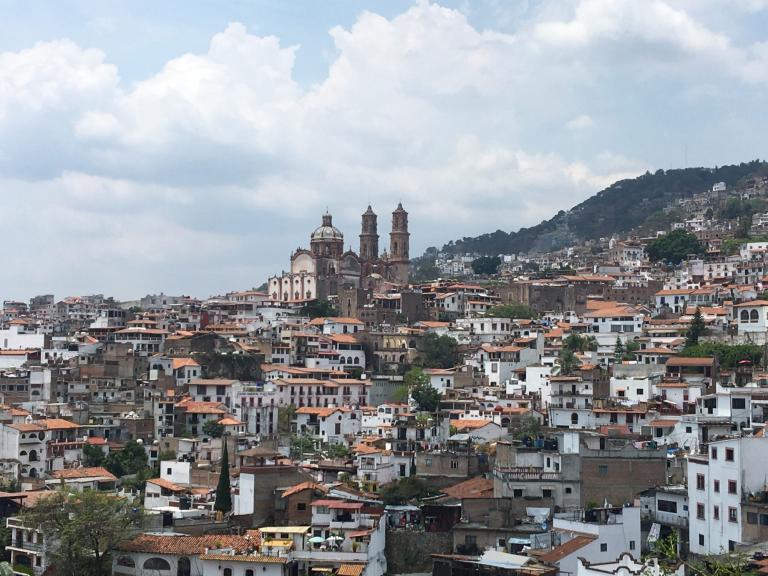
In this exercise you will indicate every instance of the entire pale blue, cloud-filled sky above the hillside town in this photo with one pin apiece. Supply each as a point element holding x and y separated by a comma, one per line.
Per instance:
<point>189,146</point>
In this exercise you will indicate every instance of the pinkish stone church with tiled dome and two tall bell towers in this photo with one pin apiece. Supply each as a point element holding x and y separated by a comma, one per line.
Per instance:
<point>319,272</point>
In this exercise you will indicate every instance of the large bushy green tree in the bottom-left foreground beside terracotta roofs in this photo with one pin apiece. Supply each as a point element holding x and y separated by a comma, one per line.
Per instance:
<point>84,529</point>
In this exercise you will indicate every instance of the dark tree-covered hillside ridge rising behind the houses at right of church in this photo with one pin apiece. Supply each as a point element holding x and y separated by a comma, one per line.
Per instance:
<point>624,206</point>
